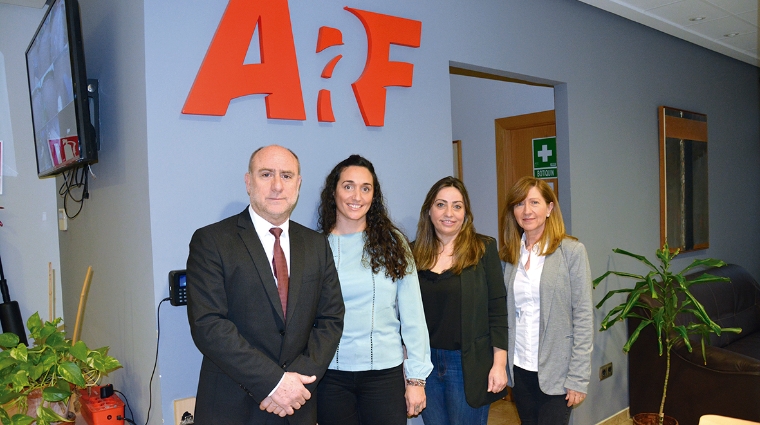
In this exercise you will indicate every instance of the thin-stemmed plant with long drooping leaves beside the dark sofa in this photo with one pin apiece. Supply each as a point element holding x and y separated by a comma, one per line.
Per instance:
<point>672,297</point>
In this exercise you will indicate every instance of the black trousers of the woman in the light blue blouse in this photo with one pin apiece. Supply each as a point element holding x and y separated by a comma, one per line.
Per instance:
<point>373,397</point>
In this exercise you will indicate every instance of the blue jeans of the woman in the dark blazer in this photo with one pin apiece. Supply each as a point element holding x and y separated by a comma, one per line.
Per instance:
<point>446,404</point>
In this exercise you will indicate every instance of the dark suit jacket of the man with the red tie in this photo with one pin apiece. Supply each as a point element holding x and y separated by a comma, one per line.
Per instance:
<point>236,319</point>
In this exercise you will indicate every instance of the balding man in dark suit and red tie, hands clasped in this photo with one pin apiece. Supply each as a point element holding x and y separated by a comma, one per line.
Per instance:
<point>263,351</point>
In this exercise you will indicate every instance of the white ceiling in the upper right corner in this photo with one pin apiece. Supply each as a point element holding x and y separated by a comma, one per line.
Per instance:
<point>725,26</point>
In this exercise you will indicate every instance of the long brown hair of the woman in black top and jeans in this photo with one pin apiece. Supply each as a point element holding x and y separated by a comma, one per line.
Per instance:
<point>469,247</point>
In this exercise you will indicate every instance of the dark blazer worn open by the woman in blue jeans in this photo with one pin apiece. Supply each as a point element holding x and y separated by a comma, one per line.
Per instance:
<point>484,324</point>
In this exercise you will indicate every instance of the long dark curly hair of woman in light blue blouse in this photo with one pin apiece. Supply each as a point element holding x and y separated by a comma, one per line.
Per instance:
<point>384,244</point>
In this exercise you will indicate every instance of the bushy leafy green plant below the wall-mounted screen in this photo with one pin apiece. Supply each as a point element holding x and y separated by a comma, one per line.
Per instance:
<point>52,368</point>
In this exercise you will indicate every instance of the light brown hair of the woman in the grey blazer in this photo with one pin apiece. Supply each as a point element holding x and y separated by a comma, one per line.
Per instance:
<point>554,230</point>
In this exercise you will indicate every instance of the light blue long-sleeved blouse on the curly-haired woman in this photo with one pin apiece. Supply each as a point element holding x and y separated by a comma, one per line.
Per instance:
<point>379,313</point>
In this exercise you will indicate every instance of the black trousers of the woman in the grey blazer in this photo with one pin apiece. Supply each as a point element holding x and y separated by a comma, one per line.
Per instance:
<point>535,407</point>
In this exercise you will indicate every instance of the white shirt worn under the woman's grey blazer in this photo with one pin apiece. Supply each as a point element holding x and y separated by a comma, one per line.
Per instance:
<point>528,307</point>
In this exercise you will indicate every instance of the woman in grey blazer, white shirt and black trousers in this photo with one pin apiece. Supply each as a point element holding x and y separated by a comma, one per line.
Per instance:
<point>548,282</point>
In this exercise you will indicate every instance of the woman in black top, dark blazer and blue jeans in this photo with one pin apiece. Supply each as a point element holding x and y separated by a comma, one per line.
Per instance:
<point>465,307</point>
